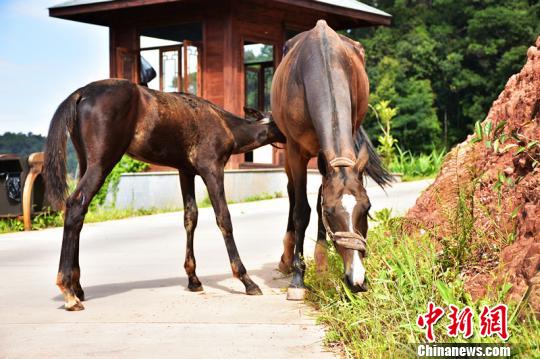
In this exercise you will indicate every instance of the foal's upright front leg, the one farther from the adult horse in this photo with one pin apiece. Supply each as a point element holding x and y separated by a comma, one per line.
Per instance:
<point>187,183</point>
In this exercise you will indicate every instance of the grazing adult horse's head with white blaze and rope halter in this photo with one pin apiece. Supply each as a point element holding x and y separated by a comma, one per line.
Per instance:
<point>345,207</point>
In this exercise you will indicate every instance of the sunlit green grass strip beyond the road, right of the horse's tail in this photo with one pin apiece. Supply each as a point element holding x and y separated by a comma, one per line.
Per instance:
<point>417,166</point>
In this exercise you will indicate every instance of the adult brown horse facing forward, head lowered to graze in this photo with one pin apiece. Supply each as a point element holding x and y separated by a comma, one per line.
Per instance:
<point>319,98</point>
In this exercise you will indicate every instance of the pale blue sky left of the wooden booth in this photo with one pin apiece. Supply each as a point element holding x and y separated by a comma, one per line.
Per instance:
<point>43,60</point>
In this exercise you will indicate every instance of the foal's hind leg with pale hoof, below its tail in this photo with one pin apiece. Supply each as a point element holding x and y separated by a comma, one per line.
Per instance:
<point>76,208</point>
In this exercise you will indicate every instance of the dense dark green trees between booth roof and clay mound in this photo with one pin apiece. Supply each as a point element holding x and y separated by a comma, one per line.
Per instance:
<point>446,61</point>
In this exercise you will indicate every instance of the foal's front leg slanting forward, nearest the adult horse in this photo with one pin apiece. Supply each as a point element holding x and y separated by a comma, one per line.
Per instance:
<point>213,177</point>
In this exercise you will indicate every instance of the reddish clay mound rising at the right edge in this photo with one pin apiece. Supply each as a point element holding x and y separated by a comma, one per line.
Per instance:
<point>491,183</point>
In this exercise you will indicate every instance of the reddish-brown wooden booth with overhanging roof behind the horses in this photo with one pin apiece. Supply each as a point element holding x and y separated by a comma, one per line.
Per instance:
<point>223,50</point>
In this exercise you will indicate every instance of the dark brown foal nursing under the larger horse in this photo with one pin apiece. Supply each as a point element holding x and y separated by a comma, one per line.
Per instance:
<point>109,118</point>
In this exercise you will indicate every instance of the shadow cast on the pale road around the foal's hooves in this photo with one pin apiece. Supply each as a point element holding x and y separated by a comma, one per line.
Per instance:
<point>267,275</point>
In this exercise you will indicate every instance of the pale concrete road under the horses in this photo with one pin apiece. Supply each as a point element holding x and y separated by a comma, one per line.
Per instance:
<point>137,301</point>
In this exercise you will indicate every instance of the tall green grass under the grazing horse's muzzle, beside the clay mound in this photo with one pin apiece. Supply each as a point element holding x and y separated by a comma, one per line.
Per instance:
<point>404,274</point>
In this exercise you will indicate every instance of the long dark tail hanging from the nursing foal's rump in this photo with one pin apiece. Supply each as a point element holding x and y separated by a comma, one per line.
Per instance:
<point>55,150</point>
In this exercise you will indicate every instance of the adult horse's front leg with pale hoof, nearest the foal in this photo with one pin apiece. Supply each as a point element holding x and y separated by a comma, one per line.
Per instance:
<point>301,214</point>
